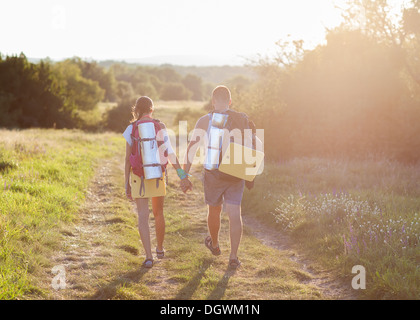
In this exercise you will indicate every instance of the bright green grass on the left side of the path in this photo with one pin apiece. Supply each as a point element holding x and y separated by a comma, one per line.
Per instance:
<point>43,177</point>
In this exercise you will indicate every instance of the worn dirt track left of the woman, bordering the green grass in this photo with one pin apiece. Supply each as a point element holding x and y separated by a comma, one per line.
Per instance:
<point>82,251</point>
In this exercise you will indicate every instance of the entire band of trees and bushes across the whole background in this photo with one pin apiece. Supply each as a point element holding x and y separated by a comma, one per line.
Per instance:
<point>356,95</point>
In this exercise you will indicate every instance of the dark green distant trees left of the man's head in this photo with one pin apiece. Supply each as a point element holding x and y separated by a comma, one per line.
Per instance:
<point>61,94</point>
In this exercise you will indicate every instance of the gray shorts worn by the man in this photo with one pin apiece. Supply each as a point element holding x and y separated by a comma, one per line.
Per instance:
<point>218,189</point>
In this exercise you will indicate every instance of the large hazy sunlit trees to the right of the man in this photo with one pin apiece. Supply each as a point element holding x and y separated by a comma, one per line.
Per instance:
<point>357,95</point>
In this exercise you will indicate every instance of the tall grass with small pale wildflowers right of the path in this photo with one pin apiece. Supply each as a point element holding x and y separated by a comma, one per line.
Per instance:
<point>346,213</point>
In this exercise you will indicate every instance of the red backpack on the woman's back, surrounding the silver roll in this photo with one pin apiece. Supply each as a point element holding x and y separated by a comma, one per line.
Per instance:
<point>136,159</point>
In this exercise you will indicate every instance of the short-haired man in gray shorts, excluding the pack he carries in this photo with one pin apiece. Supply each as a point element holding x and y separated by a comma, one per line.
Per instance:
<point>220,187</point>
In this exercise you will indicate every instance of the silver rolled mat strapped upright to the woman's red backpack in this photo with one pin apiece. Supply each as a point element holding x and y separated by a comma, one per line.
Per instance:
<point>150,151</point>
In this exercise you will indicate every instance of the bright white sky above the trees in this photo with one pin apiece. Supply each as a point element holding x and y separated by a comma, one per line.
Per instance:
<point>228,30</point>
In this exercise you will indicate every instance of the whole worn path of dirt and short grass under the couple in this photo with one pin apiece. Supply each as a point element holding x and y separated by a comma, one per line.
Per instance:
<point>100,263</point>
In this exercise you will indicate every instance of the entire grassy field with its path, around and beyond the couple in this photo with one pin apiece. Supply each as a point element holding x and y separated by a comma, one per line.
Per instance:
<point>62,204</point>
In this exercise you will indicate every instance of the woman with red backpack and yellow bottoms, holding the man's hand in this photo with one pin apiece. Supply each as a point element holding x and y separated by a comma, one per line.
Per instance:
<point>148,150</point>
